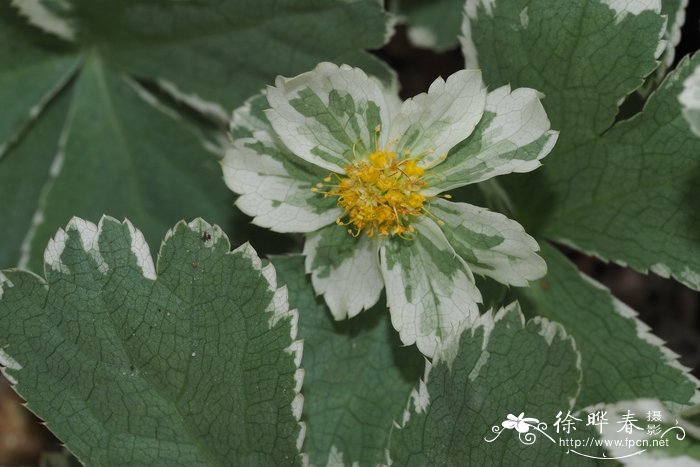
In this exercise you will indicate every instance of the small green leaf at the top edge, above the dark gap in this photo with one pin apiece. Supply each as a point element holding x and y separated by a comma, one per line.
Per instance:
<point>432,24</point>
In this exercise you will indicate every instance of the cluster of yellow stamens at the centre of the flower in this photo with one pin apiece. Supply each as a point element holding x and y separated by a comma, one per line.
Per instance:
<point>380,195</point>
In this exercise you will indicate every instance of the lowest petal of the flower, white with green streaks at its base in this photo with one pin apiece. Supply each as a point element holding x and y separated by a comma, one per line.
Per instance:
<point>430,290</point>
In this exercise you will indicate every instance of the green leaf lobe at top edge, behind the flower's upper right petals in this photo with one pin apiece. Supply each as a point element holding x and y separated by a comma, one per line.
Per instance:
<point>584,55</point>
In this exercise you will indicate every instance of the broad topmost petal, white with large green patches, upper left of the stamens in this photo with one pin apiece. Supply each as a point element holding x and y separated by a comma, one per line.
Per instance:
<point>325,114</point>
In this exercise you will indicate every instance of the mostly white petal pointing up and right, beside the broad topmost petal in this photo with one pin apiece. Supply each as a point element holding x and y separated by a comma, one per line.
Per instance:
<point>435,121</point>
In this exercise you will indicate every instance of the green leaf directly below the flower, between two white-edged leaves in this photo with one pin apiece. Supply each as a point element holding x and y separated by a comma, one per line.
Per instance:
<point>357,375</point>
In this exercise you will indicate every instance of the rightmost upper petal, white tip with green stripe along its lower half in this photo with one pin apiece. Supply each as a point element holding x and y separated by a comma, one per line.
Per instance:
<point>513,135</point>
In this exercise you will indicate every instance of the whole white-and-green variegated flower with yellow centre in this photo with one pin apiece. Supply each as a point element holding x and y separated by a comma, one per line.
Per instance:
<point>335,155</point>
